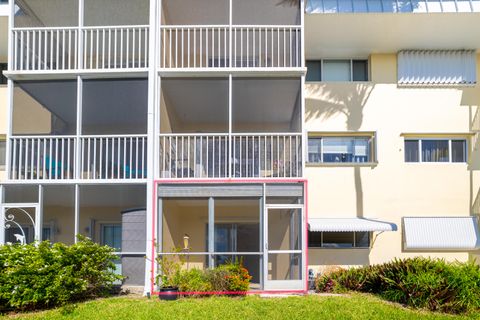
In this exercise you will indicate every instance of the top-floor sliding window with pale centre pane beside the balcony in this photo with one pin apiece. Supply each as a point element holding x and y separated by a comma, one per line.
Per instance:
<point>337,70</point>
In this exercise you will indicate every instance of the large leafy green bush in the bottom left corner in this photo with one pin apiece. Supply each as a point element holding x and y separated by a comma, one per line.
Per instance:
<point>43,275</point>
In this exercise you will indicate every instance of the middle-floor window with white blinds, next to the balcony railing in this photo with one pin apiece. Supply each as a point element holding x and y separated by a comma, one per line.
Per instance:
<point>340,149</point>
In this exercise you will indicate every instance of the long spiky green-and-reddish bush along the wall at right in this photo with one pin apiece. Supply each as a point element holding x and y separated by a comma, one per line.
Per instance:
<point>417,282</point>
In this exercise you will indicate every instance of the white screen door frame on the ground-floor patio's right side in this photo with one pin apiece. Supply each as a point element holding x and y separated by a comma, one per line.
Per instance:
<point>283,284</point>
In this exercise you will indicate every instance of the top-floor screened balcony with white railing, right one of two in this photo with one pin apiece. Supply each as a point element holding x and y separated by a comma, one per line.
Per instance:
<point>260,35</point>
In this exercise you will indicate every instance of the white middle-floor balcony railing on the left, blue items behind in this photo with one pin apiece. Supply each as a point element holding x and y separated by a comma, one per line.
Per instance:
<point>54,157</point>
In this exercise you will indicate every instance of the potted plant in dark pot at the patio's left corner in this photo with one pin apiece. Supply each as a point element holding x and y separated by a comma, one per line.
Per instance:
<point>170,267</point>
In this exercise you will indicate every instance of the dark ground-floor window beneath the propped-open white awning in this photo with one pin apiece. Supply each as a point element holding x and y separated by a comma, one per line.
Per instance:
<point>339,240</point>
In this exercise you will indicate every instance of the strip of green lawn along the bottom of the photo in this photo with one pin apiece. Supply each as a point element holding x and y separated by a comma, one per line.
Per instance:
<point>354,306</point>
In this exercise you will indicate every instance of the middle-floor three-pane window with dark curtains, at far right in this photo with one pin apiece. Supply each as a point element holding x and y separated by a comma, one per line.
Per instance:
<point>435,150</point>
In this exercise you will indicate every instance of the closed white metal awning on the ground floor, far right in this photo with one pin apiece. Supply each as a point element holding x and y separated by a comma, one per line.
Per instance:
<point>441,233</point>
